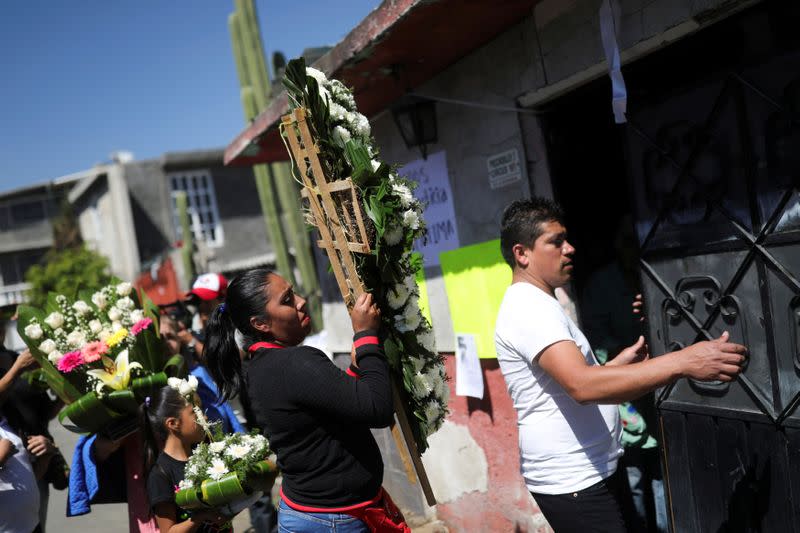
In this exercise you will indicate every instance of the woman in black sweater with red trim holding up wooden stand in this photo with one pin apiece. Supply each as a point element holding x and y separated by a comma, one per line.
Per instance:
<point>316,417</point>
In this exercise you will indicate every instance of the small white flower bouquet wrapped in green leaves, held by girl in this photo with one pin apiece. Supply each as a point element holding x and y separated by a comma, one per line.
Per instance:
<point>228,474</point>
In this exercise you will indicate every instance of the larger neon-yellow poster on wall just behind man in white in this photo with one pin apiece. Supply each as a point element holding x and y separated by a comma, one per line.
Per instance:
<point>476,278</point>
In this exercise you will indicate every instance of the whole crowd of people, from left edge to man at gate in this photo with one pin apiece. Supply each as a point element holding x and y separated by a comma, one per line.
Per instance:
<point>245,340</point>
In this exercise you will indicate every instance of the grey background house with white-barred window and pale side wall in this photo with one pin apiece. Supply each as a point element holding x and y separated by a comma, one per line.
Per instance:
<point>127,212</point>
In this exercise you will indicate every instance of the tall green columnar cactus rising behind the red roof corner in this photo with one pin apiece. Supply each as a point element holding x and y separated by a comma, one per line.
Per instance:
<point>276,186</point>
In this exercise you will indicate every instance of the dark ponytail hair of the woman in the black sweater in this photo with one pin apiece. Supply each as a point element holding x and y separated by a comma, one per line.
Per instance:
<point>246,298</point>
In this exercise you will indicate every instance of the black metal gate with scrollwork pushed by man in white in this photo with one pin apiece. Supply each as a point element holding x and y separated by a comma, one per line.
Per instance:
<point>715,173</point>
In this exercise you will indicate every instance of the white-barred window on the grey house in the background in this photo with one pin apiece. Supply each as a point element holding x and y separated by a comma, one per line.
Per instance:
<point>202,206</point>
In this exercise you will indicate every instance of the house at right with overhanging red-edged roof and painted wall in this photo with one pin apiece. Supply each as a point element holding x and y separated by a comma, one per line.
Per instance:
<point>702,166</point>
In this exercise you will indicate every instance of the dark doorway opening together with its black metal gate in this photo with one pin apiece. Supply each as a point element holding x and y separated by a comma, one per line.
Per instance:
<point>711,154</point>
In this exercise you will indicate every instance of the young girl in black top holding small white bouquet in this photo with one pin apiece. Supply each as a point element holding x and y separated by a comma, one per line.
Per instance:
<point>170,432</point>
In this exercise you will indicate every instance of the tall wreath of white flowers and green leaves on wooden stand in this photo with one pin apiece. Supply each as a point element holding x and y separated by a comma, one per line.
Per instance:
<point>347,150</point>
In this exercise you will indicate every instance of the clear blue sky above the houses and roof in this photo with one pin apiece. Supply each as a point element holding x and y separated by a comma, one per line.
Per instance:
<point>83,78</point>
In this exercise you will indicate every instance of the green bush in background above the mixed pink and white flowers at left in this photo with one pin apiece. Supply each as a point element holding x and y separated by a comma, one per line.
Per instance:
<point>67,272</point>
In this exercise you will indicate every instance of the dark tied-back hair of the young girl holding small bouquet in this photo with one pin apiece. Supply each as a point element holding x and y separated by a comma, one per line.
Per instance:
<point>153,413</point>
